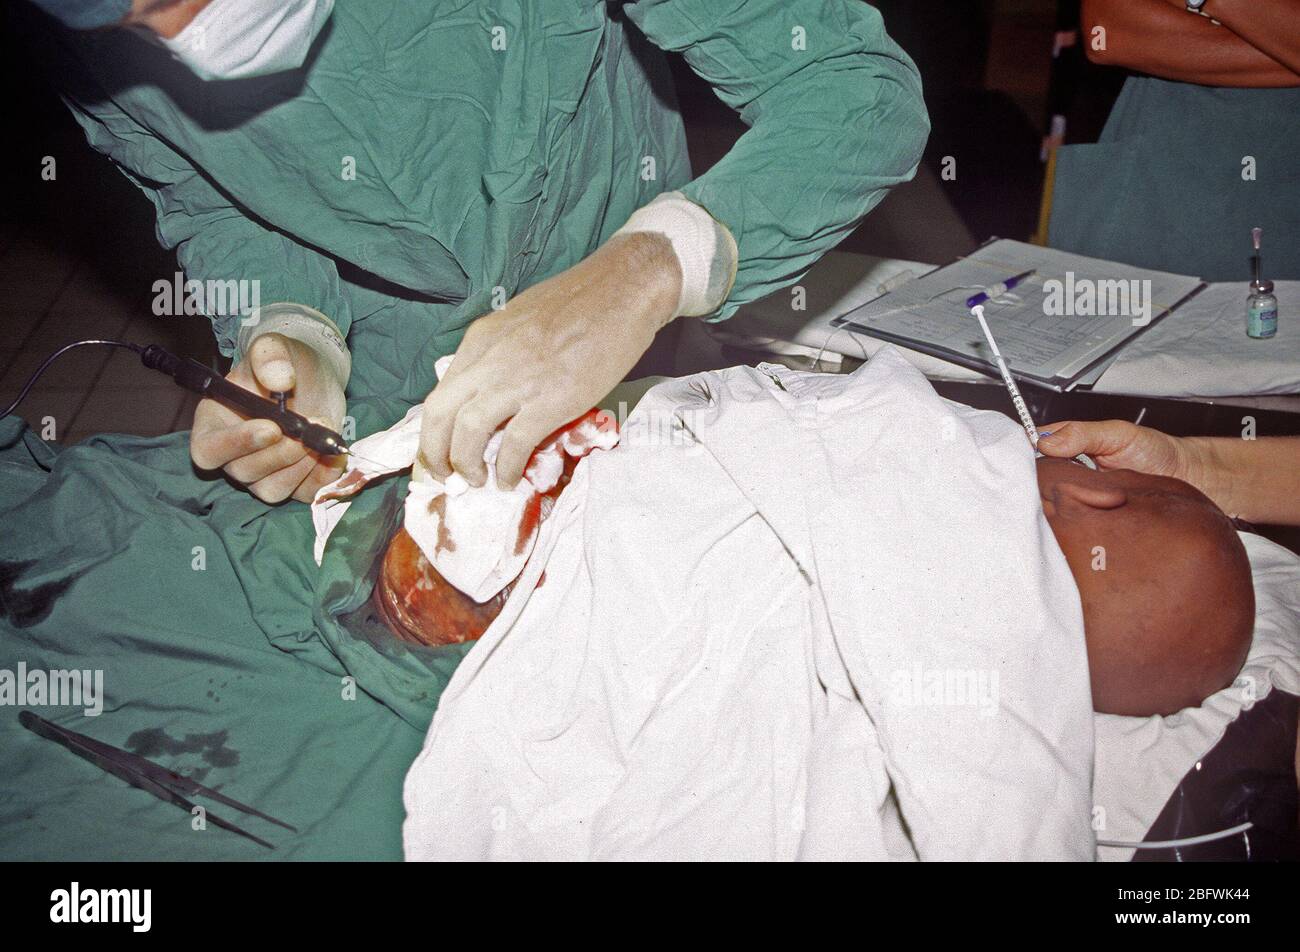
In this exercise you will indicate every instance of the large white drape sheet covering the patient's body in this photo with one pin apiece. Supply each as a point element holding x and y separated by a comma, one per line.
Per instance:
<point>790,617</point>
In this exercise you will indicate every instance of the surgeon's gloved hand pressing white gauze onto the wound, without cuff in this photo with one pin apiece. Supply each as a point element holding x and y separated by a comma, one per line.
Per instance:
<point>549,356</point>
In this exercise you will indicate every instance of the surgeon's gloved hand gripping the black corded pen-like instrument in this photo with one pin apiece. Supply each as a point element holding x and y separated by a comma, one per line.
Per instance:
<point>255,453</point>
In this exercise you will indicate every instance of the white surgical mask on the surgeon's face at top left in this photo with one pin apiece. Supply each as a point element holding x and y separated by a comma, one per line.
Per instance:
<point>237,40</point>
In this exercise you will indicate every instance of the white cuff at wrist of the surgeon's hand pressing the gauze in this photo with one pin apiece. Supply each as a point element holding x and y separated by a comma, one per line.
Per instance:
<point>707,252</point>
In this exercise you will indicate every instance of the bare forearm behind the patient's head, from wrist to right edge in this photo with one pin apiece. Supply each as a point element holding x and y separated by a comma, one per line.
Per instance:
<point>1258,481</point>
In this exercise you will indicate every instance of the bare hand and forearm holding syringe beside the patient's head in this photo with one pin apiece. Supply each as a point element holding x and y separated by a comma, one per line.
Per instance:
<point>1258,481</point>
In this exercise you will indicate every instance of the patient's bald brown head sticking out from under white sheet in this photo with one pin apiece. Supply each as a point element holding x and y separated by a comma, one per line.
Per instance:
<point>1168,600</point>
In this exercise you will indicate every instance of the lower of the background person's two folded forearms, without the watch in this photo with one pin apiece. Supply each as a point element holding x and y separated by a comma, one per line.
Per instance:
<point>1158,38</point>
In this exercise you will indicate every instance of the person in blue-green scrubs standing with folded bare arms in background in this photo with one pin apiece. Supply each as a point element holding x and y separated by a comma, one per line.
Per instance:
<point>1202,145</point>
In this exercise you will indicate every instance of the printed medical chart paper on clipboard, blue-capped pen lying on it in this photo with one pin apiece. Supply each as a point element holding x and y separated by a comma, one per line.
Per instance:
<point>1059,328</point>
